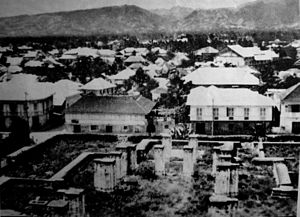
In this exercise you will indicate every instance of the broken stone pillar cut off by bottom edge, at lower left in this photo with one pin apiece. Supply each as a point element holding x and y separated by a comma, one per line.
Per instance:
<point>76,201</point>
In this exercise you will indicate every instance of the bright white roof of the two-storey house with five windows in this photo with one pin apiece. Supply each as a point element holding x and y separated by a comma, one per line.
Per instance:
<point>212,95</point>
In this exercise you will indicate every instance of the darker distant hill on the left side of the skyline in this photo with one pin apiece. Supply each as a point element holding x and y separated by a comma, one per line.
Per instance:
<point>114,20</point>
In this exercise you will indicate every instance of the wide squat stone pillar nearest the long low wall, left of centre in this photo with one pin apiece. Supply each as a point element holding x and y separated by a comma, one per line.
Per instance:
<point>105,174</point>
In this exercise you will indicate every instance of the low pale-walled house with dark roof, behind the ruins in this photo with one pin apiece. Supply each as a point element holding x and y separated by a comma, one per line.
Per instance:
<point>109,114</point>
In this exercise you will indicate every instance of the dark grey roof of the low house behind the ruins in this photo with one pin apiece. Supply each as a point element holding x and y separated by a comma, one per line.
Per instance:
<point>112,105</point>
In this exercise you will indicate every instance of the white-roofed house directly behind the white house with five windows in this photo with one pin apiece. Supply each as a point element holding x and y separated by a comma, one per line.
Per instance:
<point>222,77</point>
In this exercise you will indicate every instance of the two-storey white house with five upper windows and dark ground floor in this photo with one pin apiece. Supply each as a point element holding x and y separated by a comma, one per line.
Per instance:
<point>228,110</point>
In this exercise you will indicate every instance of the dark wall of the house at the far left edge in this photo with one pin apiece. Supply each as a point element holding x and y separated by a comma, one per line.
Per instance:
<point>37,114</point>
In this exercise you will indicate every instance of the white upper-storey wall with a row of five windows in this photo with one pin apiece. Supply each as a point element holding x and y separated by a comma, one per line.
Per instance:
<point>254,113</point>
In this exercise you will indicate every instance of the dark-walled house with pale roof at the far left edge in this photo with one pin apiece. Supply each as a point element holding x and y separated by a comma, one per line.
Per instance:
<point>22,98</point>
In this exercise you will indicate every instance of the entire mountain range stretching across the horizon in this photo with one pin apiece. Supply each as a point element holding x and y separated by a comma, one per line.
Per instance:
<point>130,19</point>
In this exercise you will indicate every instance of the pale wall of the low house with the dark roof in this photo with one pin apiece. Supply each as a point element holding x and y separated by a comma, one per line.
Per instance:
<point>97,123</point>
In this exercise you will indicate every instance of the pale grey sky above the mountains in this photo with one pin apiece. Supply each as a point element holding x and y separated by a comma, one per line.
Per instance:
<point>20,7</point>
